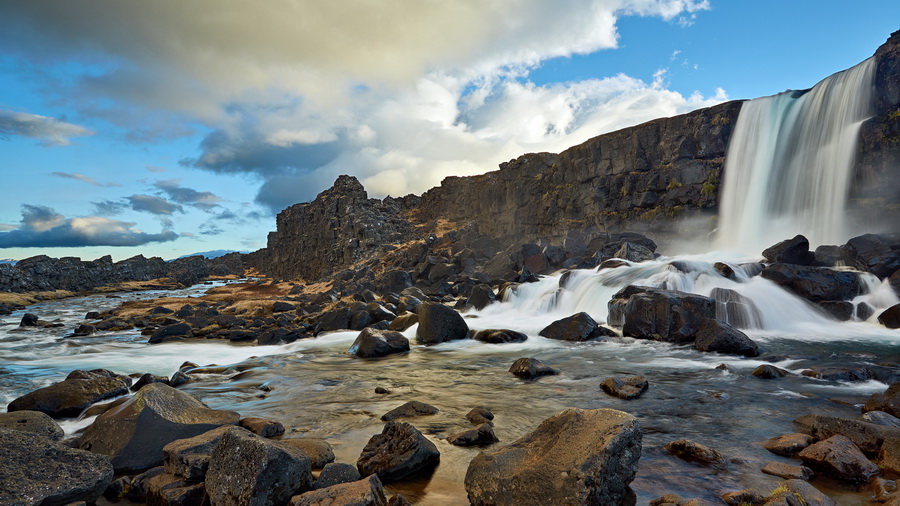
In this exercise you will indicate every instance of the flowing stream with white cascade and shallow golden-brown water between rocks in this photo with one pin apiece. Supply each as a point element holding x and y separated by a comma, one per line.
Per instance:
<point>316,389</point>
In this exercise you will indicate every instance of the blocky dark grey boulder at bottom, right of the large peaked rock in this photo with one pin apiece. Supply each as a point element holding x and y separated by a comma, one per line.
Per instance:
<point>247,469</point>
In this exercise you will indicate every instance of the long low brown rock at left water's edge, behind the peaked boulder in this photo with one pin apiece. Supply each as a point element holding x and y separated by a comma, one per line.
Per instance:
<point>70,397</point>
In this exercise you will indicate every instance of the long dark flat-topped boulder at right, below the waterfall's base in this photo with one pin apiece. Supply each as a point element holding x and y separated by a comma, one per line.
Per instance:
<point>814,283</point>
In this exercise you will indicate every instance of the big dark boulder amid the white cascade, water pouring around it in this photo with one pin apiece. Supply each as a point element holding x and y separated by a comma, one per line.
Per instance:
<point>666,315</point>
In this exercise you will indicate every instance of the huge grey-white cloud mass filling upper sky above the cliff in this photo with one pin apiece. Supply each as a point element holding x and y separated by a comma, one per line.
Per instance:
<point>293,93</point>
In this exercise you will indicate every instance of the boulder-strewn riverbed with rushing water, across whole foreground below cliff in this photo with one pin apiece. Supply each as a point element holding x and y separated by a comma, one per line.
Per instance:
<point>685,368</point>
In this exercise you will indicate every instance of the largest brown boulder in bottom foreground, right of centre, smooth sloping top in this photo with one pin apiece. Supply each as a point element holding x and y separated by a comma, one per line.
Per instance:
<point>574,457</point>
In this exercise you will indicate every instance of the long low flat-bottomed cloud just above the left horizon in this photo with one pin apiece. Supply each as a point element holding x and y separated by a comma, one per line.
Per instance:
<point>42,227</point>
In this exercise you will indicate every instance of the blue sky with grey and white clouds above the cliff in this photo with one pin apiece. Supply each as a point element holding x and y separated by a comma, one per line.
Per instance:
<point>179,126</point>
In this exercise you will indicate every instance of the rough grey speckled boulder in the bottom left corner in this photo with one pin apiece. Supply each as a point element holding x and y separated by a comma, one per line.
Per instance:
<point>36,470</point>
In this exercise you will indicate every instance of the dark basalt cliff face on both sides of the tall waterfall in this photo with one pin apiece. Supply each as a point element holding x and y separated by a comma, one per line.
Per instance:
<point>648,178</point>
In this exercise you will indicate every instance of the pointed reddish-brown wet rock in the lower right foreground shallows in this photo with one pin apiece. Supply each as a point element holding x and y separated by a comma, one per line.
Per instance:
<point>837,456</point>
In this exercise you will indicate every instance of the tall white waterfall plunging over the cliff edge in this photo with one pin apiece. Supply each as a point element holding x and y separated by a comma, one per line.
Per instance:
<point>789,163</point>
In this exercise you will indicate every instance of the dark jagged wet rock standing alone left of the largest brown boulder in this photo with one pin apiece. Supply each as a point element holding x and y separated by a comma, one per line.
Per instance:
<point>399,452</point>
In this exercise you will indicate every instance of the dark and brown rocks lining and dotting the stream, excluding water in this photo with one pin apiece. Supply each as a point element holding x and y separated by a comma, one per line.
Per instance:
<point>165,447</point>
